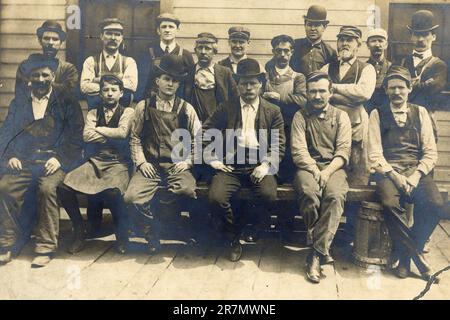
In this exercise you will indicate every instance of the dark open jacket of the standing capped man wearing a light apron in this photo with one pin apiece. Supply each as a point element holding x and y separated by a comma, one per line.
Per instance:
<point>226,88</point>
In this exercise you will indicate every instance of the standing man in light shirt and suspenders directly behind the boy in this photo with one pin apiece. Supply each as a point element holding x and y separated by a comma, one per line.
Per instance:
<point>109,62</point>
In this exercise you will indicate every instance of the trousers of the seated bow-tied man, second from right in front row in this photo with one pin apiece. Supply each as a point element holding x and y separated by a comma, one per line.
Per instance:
<point>321,209</point>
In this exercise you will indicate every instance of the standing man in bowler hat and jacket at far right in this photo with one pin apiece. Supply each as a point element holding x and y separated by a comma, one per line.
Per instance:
<point>428,72</point>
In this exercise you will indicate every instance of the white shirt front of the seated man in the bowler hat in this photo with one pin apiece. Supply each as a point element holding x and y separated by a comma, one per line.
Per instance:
<point>248,136</point>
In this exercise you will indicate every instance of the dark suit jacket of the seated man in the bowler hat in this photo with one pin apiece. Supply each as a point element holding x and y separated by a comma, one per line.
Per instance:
<point>229,116</point>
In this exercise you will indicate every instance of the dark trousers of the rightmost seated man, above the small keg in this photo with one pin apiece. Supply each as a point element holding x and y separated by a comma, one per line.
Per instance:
<point>428,208</point>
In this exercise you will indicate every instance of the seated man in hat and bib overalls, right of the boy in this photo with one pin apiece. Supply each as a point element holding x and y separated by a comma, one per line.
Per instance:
<point>152,148</point>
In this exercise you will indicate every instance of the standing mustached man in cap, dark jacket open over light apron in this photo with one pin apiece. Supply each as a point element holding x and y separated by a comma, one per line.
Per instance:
<point>208,83</point>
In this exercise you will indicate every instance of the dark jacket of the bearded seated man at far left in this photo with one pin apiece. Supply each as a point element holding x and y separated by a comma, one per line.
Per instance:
<point>58,134</point>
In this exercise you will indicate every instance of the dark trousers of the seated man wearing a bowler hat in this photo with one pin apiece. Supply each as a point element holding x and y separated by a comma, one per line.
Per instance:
<point>224,186</point>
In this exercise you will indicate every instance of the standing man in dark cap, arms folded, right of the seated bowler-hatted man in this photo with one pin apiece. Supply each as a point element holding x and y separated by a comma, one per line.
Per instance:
<point>287,89</point>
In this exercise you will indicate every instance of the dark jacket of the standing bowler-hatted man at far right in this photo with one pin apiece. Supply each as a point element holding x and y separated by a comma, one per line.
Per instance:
<point>427,94</point>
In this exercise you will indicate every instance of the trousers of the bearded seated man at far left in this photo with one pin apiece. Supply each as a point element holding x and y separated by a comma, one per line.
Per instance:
<point>13,190</point>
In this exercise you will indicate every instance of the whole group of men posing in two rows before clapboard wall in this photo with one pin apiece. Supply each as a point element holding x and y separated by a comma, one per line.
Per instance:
<point>305,120</point>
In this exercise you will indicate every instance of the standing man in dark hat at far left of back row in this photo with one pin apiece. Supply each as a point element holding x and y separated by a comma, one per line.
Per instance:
<point>51,37</point>
